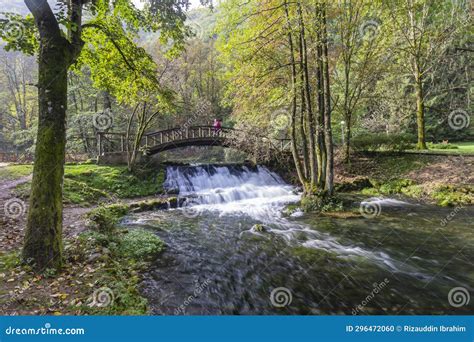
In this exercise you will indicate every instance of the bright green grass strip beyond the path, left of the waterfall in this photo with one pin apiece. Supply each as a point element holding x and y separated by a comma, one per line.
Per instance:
<point>86,184</point>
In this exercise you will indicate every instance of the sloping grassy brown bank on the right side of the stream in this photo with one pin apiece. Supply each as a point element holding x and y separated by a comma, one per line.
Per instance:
<point>440,180</point>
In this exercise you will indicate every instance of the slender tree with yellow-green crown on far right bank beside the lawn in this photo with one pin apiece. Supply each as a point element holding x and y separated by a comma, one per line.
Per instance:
<point>425,29</point>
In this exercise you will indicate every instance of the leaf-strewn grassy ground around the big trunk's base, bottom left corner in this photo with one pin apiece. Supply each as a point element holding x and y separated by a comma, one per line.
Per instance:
<point>101,275</point>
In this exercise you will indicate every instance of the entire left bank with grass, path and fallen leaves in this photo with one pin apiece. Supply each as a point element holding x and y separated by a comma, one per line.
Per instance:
<point>101,273</point>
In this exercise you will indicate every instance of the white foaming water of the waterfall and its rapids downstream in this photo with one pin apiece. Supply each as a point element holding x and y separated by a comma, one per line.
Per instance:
<point>262,195</point>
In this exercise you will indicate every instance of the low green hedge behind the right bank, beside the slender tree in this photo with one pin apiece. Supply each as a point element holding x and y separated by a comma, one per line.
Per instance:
<point>382,141</point>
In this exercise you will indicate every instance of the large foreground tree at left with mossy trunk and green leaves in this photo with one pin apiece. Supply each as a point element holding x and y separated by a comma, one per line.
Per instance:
<point>59,38</point>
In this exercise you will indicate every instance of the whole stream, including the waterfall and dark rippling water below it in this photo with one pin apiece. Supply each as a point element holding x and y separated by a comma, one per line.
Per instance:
<point>232,250</point>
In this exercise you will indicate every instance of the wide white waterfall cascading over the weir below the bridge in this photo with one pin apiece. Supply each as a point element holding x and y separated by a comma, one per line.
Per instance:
<point>232,188</point>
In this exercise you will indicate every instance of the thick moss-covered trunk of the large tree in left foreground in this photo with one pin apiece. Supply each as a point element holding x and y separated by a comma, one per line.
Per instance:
<point>43,238</point>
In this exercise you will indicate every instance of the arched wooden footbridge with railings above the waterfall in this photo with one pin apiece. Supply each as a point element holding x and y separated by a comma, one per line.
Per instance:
<point>156,142</point>
